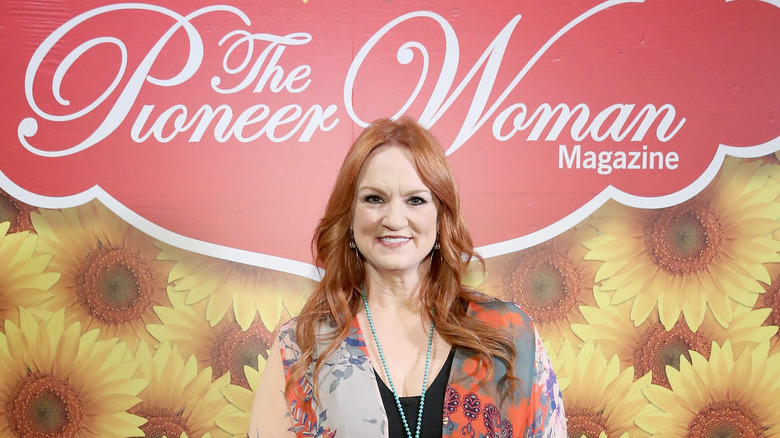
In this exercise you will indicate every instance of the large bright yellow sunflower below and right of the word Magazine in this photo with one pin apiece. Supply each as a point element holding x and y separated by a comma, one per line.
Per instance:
<point>702,254</point>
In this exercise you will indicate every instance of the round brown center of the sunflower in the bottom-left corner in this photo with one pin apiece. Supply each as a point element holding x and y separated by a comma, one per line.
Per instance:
<point>42,405</point>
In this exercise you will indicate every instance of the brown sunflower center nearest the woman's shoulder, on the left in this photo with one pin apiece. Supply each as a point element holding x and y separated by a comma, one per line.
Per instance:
<point>235,348</point>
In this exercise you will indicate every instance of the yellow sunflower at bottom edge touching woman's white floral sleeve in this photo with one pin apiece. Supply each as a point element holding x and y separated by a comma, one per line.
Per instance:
<point>600,397</point>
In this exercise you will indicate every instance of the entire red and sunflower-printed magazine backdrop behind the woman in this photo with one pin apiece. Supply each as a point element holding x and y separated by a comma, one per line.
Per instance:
<point>163,166</point>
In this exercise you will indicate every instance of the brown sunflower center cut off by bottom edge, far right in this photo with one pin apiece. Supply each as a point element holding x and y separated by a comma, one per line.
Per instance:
<point>726,419</point>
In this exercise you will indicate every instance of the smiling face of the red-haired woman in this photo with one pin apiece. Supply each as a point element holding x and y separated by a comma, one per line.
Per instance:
<point>394,213</point>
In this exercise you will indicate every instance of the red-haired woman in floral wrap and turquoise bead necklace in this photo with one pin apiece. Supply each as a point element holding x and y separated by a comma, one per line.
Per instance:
<point>391,343</point>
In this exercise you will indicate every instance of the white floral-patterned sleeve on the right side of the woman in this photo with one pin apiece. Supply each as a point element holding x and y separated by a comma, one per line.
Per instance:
<point>549,418</point>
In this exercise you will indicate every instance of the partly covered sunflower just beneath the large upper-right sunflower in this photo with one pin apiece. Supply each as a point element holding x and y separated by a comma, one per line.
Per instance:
<point>650,347</point>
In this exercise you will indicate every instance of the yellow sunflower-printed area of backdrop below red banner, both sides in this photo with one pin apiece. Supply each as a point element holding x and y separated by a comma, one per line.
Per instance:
<point>660,322</point>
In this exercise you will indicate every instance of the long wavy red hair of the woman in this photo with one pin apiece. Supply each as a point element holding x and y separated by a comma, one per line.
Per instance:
<point>337,297</point>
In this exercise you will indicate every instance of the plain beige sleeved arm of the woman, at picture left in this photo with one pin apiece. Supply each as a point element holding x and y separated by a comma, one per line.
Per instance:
<point>270,416</point>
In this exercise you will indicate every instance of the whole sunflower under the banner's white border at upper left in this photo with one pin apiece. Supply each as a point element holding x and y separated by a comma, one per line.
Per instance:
<point>111,278</point>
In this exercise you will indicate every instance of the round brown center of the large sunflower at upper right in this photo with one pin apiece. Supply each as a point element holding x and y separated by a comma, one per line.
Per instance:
<point>684,238</point>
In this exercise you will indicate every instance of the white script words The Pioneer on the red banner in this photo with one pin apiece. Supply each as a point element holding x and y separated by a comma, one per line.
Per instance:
<point>243,58</point>
